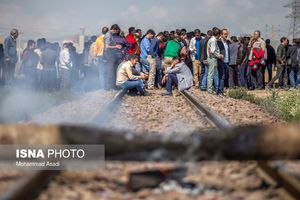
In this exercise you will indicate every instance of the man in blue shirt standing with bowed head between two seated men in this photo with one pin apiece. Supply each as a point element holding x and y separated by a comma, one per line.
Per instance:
<point>145,51</point>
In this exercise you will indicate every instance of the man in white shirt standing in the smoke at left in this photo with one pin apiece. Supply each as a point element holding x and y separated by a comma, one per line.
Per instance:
<point>65,65</point>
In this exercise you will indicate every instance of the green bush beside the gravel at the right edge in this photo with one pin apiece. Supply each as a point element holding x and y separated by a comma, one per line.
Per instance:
<point>285,108</point>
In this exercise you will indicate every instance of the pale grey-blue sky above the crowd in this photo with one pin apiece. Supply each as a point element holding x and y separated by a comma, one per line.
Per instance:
<point>59,18</point>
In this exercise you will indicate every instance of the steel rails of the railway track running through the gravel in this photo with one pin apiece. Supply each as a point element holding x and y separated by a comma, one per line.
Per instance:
<point>268,170</point>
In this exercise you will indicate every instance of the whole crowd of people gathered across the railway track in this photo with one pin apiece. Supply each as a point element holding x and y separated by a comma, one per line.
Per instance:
<point>210,62</point>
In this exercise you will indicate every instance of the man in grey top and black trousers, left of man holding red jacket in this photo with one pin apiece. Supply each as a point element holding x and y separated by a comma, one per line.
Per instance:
<point>233,69</point>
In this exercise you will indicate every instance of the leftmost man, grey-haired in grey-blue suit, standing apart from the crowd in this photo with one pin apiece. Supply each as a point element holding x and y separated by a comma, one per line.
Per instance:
<point>10,56</point>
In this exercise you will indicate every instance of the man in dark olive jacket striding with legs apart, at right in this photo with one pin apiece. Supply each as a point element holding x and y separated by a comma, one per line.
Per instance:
<point>281,62</point>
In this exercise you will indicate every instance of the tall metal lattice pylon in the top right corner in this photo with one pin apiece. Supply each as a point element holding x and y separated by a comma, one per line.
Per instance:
<point>294,16</point>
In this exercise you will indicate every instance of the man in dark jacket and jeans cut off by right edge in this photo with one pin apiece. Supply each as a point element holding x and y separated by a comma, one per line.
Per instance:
<point>292,54</point>
